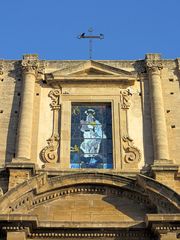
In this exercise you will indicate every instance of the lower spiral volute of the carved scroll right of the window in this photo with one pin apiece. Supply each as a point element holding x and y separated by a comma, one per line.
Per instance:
<point>132,153</point>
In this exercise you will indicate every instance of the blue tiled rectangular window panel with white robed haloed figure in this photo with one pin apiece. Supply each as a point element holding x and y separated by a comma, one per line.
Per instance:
<point>91,136</point>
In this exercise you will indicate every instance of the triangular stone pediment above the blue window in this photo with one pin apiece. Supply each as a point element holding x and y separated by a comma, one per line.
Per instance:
<point>92,71</point>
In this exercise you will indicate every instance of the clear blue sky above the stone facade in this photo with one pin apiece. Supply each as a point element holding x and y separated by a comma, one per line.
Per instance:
<point>50,28</point>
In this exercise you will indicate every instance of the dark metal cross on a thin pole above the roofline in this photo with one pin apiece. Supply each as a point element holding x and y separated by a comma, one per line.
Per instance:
<point>90,37</point>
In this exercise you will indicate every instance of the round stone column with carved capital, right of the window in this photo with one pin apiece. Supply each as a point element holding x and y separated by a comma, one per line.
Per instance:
<point>160,142</point>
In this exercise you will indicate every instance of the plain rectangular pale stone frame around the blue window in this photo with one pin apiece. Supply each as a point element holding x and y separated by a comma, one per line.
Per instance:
<point>65,129</point>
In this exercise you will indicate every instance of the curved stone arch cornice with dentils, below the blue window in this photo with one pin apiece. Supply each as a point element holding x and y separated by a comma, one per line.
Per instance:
<point>41,189</point>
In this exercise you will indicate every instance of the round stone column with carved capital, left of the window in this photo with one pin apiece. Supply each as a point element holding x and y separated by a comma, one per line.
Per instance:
<point>29,69</point>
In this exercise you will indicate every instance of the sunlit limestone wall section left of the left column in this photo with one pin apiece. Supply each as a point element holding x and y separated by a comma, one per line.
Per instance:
<point>10,96</point>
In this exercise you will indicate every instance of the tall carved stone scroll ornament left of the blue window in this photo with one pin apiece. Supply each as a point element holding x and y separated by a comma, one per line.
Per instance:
<point>49,154</point>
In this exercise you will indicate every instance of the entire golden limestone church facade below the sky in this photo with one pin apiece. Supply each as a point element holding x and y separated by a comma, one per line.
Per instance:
<point>132,195</point>
